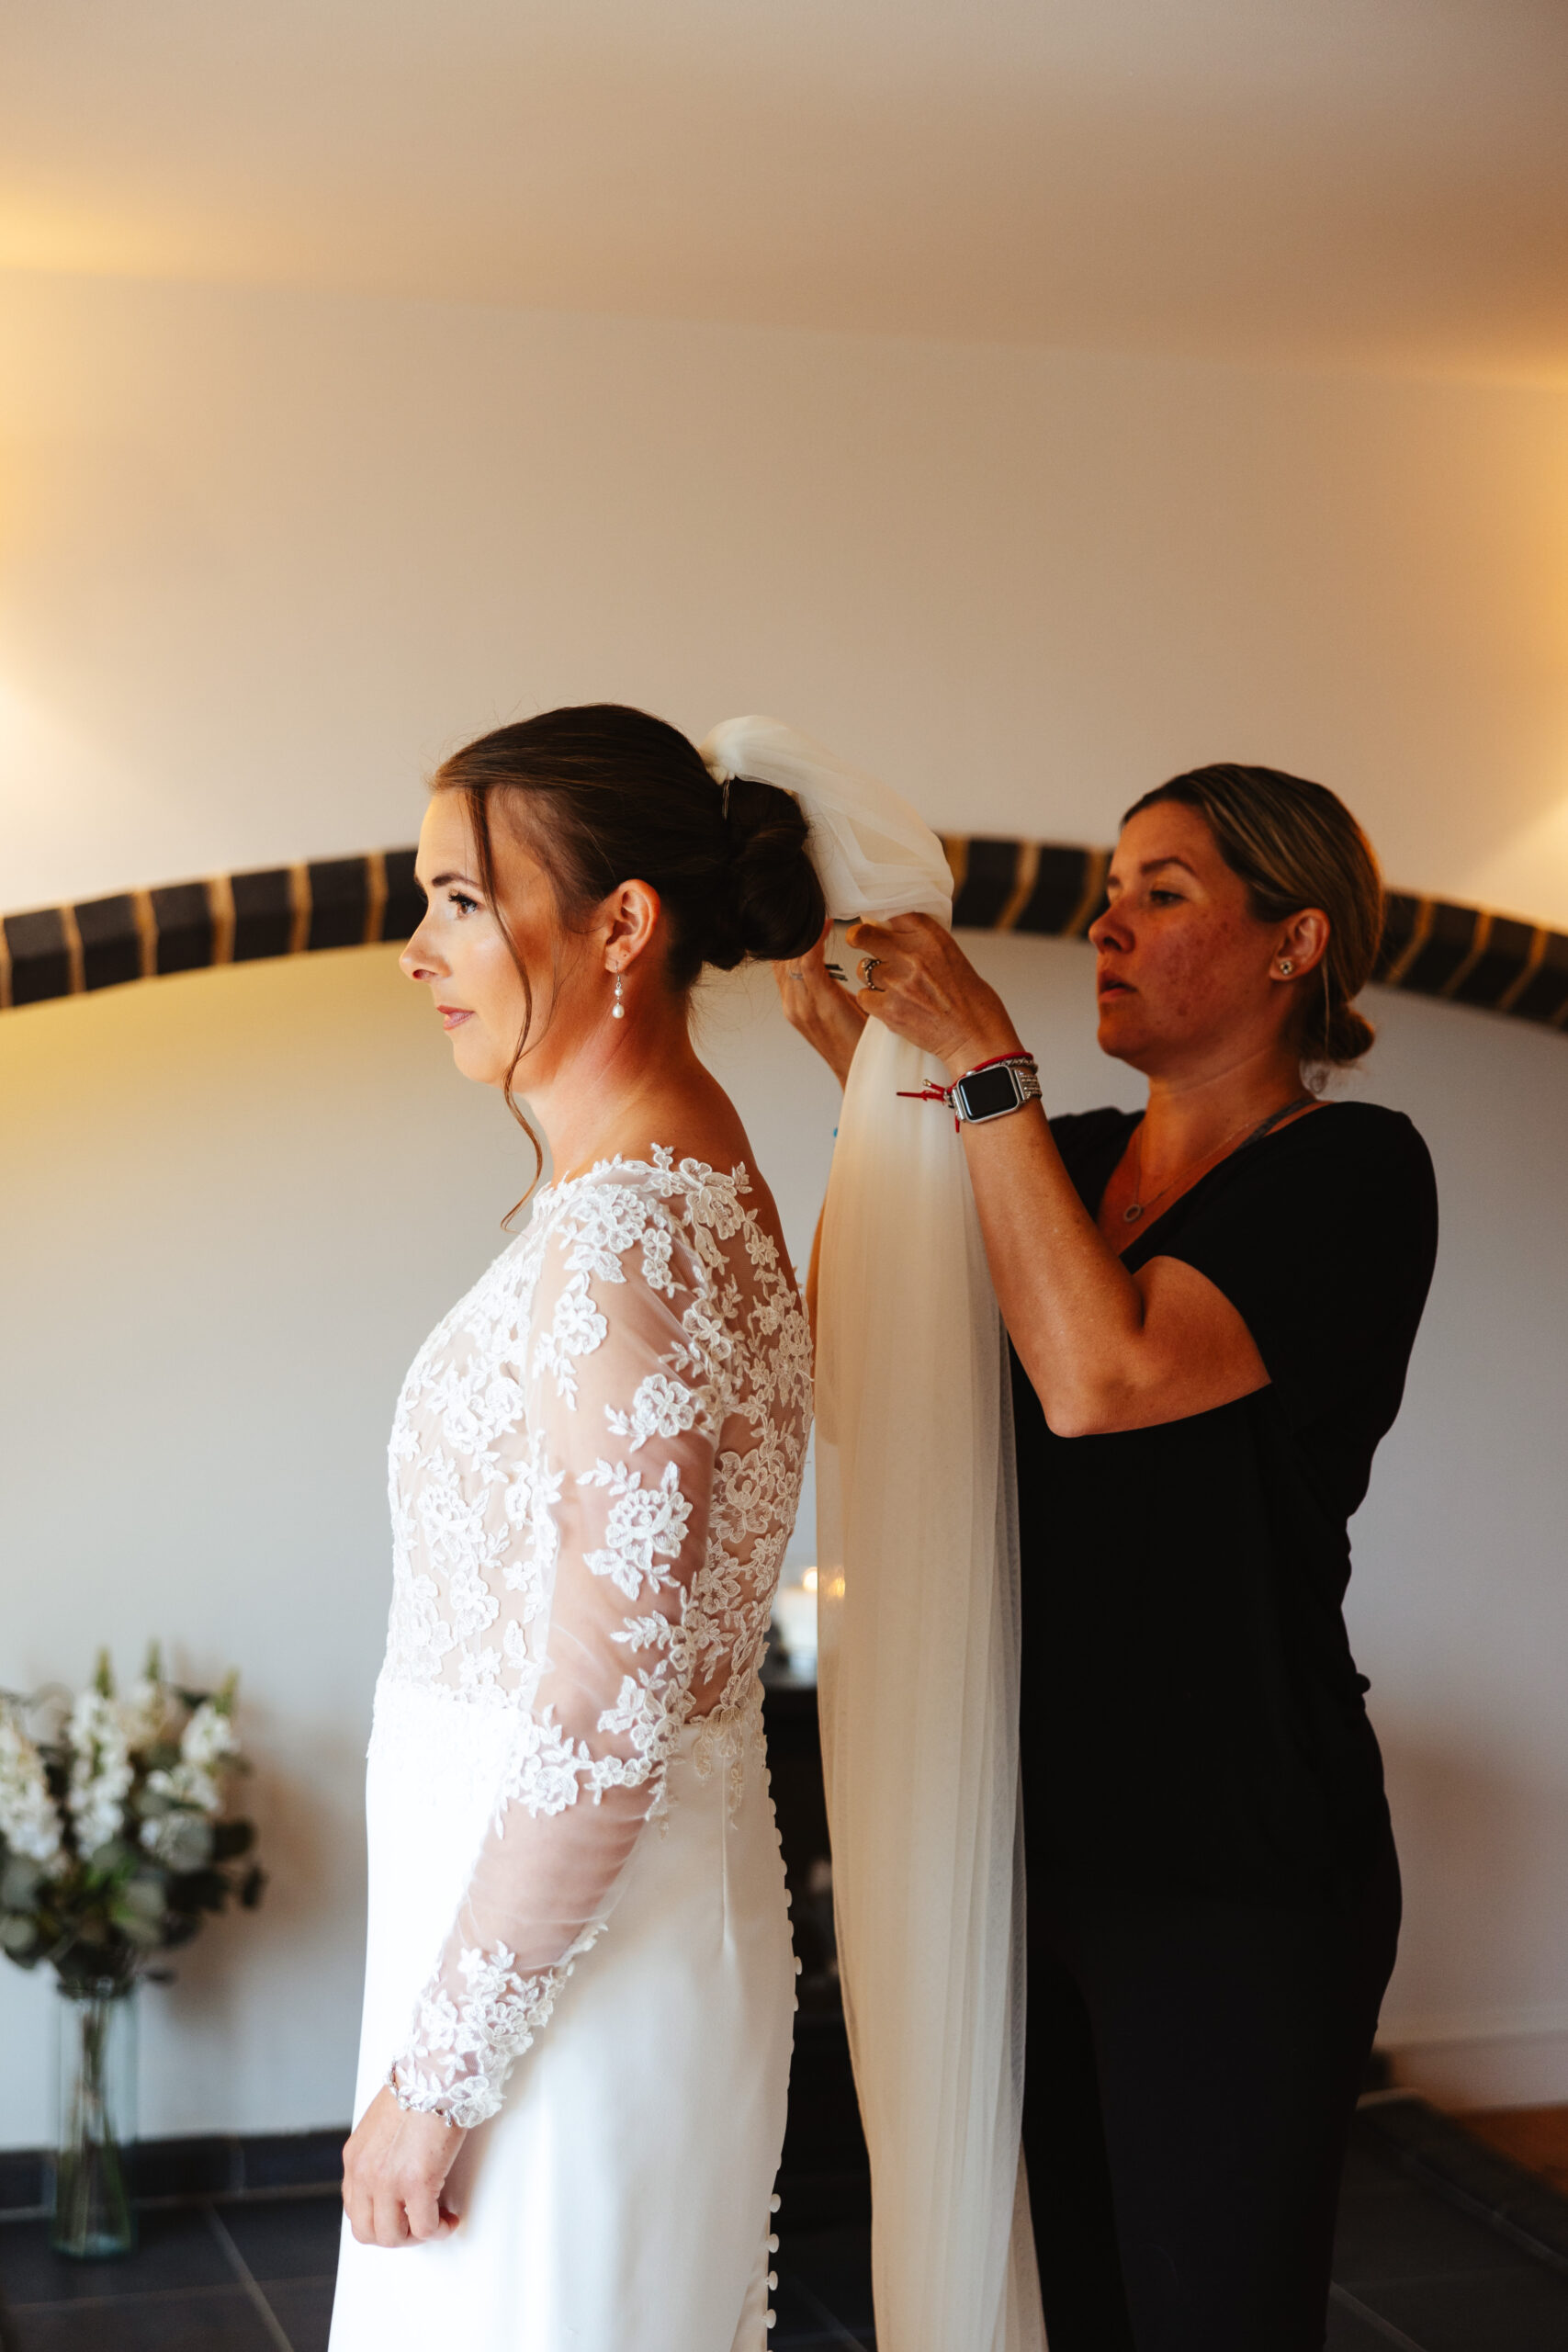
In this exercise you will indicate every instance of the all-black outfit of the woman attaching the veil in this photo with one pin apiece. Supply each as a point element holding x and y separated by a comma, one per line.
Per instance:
<point>1214,1897</point>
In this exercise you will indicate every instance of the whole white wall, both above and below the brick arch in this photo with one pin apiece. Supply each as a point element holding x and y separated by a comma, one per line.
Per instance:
<point>264,556</point>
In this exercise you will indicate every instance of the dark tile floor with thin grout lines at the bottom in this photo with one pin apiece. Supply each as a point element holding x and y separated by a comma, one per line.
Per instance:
<point>255,2276</point>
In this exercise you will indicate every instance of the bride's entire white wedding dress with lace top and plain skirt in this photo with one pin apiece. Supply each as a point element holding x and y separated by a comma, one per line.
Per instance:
<point>572,1855</point>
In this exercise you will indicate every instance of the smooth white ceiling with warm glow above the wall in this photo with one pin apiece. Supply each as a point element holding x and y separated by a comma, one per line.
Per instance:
<point>1322,180</point>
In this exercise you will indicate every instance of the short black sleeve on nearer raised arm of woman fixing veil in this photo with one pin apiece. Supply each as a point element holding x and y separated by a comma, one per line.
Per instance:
<point>1325,1241</point>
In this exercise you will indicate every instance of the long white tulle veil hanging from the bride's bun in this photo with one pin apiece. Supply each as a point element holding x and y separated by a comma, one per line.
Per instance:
<point>918,1593</point>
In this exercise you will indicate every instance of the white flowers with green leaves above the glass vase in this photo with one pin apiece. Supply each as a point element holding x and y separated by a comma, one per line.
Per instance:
<point>114,1829</point>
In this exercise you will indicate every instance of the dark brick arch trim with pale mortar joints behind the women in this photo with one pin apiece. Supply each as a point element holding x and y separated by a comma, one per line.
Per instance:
<point>1050,890</point>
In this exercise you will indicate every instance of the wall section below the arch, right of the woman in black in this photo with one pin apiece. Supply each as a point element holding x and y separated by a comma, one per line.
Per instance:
<point>1461,1596</point>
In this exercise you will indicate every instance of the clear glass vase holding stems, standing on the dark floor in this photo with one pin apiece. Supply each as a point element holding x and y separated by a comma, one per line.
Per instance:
<point>98,2120</point>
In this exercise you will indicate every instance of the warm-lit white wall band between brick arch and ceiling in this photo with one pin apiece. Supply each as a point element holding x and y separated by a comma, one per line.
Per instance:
<point>264,556</point>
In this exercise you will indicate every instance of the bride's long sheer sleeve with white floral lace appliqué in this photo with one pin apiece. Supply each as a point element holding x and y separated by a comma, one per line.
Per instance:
<point>608,1523</point>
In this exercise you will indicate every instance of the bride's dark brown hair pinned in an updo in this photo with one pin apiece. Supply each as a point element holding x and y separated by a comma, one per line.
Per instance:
<point>603,794</point>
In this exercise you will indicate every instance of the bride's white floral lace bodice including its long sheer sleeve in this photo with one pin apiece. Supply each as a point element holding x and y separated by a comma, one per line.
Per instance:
<point>594,1476</point>
